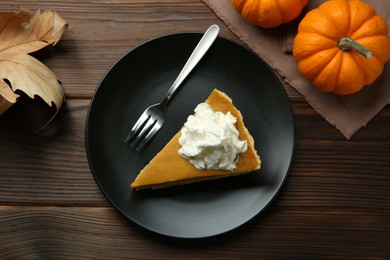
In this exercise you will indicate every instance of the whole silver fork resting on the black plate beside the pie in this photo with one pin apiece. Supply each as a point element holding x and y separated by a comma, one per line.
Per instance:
<point>154,116</point>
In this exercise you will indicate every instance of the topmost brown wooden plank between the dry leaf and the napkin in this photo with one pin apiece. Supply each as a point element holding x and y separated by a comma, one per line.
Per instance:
<point>83,55</point>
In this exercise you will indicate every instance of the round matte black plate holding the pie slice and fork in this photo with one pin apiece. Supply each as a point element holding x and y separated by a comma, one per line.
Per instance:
<point>142,77</point>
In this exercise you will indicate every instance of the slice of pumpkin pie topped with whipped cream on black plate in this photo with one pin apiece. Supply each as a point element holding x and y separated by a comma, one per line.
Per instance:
<point>212,144</point>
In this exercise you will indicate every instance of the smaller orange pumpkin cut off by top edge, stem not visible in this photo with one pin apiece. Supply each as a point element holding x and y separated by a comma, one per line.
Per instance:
<point>269,13</point>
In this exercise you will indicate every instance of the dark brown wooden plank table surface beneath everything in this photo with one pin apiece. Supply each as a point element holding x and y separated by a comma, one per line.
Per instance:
<point>334,204</point>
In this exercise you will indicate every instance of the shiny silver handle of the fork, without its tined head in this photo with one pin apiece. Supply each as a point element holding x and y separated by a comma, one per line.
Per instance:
<point>204,44</point>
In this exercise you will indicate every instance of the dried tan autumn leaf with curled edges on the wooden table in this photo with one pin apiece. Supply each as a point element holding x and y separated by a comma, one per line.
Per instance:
<point>21,35</point>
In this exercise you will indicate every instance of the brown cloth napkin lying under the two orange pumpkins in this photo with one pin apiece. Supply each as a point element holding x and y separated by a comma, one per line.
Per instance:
<point>347,113</point>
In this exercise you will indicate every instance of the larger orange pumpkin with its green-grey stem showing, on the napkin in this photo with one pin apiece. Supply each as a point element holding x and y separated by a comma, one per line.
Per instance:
<point>342,46</point>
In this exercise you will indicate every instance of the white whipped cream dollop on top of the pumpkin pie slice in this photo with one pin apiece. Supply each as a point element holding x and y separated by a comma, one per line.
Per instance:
<point>209,140</point>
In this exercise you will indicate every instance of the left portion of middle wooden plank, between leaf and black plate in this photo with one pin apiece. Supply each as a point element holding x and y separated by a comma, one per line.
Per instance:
<point>49,166</point>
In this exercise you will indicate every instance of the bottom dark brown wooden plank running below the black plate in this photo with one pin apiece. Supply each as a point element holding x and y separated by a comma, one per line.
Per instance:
<point>101,233</point>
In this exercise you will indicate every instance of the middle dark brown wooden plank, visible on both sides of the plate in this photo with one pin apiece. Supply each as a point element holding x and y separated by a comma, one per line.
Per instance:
<point>50,167</point>
